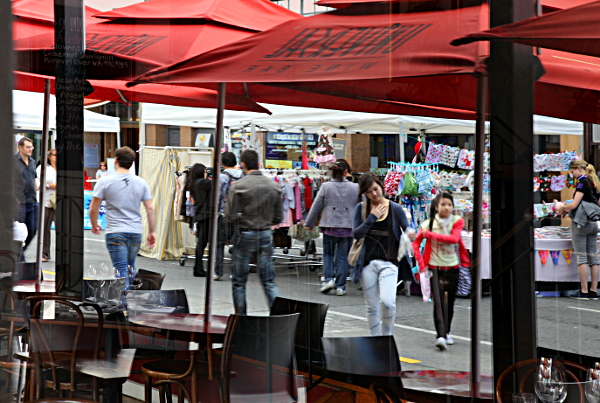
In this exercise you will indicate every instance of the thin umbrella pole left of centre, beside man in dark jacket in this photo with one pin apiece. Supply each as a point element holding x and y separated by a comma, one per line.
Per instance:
<point>214,214</point>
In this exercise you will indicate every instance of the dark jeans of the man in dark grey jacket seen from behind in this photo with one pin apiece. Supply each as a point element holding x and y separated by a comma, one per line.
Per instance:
<point>246,244</point>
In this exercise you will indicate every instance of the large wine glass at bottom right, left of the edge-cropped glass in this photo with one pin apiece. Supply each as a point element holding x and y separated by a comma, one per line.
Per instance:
<point>550,380</point>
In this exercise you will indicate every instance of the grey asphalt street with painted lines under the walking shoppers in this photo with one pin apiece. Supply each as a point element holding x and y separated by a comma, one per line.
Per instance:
<point>564,324</point>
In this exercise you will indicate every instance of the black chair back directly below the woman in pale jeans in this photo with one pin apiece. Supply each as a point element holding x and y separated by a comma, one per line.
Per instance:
<point>363,360</point>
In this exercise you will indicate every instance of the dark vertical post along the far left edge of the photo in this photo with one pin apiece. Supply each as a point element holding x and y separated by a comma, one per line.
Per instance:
<point>8,203</point>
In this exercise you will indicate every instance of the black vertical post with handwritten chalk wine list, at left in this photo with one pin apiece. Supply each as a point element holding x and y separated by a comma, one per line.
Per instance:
<point>69,29</point>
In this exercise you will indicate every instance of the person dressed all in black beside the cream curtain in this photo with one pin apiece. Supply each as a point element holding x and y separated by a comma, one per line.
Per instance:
<point>200,188</point>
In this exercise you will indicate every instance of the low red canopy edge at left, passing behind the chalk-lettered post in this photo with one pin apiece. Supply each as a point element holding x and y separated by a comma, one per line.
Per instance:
<point>116,91</point>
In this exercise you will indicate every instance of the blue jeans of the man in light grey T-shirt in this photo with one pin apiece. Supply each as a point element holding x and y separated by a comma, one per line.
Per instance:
<point>123,248</point>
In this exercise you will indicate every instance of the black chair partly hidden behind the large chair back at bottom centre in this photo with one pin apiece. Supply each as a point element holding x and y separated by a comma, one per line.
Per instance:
<point>311,325</point>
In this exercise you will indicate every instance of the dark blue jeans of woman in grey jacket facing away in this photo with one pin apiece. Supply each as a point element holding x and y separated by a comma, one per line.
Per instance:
<point>335,259</point>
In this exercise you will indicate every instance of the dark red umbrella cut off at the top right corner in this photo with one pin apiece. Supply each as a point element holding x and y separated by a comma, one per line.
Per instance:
<point>572,30</point>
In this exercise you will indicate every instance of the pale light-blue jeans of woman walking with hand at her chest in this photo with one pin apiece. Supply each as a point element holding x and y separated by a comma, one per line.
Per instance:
<point>378,280</point>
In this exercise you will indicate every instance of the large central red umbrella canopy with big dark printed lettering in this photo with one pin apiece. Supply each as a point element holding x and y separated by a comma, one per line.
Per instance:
<point>333,46</point>
